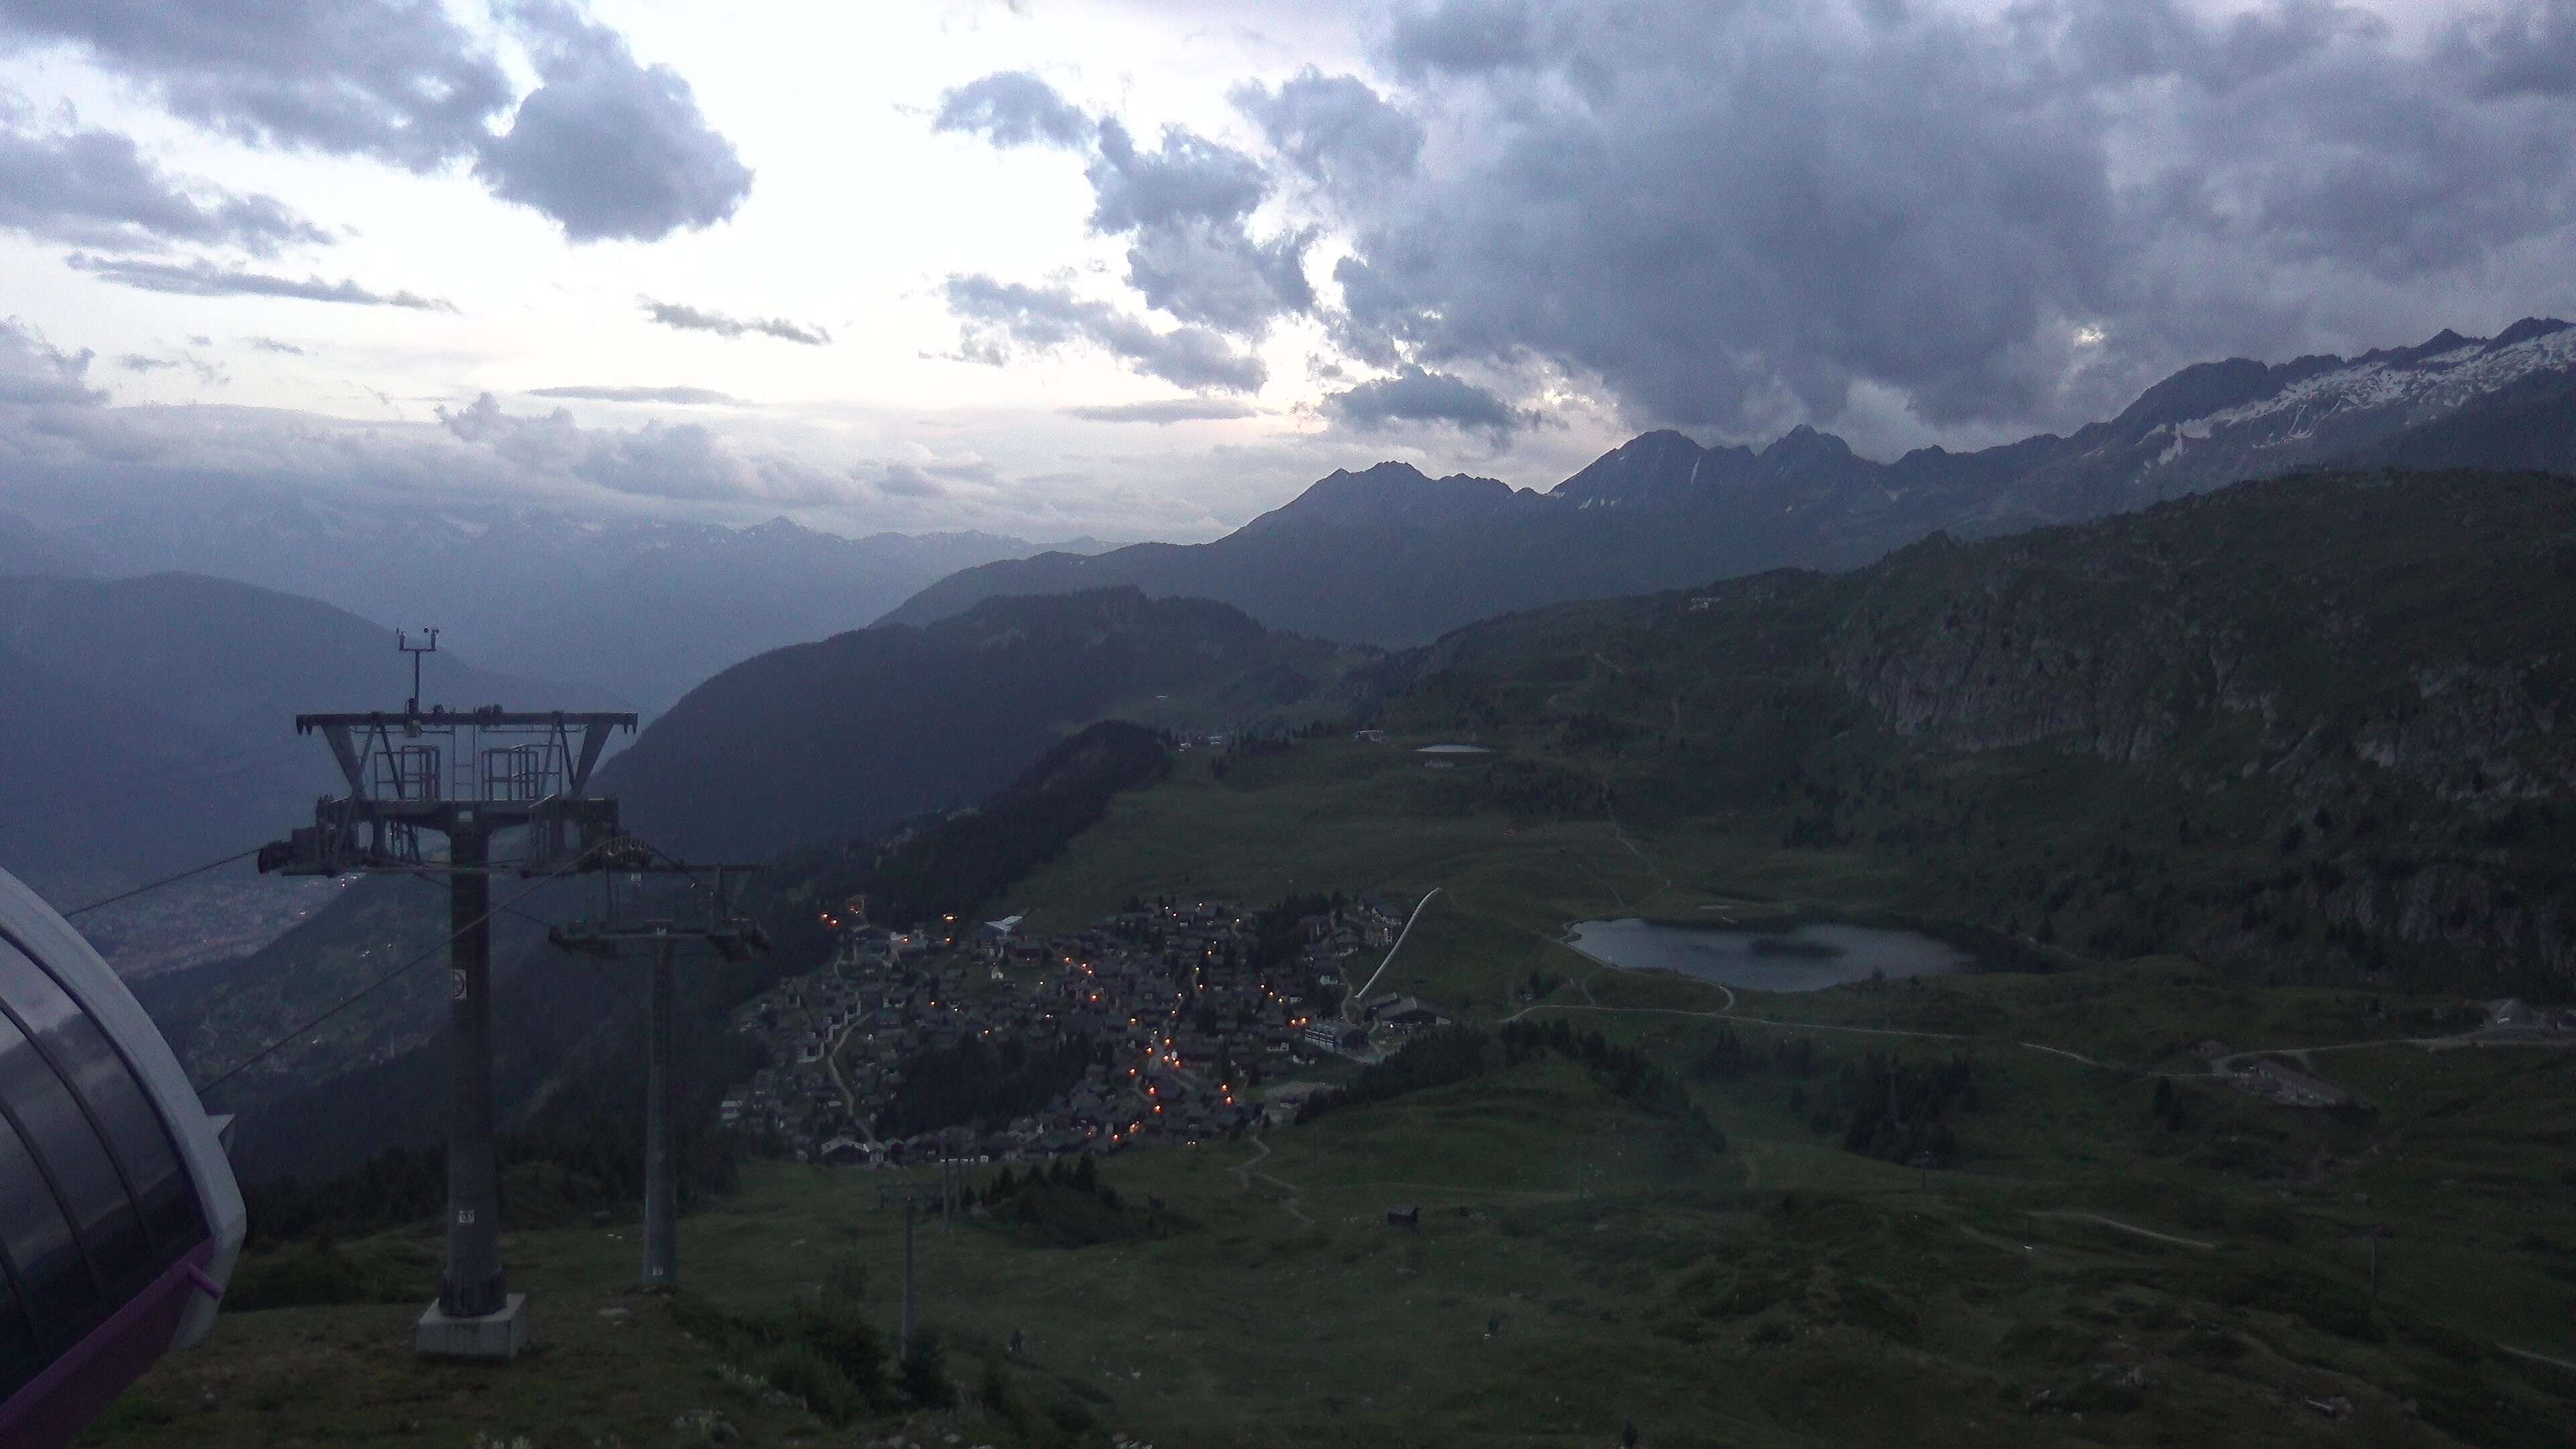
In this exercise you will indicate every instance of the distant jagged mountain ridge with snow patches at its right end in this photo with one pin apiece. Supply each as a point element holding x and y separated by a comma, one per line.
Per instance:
<point>1397,558</point>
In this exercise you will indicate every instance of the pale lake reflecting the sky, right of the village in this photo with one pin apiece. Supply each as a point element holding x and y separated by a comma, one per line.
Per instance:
<point>1804,958</point>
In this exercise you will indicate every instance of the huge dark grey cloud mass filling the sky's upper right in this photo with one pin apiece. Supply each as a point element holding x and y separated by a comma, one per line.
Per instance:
<point>1735,215</point>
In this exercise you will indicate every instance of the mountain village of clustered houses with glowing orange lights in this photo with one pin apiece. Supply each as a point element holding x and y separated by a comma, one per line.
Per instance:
<point>1168,1022</point>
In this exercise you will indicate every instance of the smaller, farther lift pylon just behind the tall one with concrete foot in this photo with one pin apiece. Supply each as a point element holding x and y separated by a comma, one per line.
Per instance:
<point>733,937</point>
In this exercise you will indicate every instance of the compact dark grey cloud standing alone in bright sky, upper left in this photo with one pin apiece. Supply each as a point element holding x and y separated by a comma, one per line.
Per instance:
<point>609,148</point>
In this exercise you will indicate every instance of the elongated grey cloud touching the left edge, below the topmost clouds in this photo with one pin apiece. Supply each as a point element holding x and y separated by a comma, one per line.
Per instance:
<point>99,190</point>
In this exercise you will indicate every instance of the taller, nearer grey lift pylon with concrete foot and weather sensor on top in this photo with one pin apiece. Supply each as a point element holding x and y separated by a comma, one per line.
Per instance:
<point>470,777</point>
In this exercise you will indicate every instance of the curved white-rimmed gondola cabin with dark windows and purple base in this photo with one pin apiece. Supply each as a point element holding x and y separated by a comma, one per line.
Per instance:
<point>120,1221</point>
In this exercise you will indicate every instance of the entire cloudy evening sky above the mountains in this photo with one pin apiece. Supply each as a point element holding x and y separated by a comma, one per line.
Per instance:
<point>1145,269</point>
